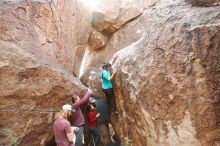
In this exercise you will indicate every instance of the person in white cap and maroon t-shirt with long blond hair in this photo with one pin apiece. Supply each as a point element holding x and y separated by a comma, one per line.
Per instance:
<point>64,133</point>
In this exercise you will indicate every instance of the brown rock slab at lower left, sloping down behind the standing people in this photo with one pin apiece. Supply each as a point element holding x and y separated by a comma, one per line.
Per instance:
<point>30,90</point>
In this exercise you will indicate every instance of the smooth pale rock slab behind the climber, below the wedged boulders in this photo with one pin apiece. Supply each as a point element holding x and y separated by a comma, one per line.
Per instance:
<point>124,37</point>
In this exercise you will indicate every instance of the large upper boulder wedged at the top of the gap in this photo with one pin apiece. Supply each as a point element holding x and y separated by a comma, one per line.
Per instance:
<point>113,14</point>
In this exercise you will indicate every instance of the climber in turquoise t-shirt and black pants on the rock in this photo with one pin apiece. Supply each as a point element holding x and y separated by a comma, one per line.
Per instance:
<point>106,76</point>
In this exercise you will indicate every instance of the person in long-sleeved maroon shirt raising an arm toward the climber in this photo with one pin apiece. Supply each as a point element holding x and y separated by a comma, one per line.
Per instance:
<point>77,118</point>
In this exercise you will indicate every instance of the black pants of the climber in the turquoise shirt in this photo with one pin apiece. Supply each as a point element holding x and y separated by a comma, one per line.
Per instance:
<point>110,99</point>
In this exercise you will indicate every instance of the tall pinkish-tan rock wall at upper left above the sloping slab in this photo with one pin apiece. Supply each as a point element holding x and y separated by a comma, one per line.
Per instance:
<point>54,31</point>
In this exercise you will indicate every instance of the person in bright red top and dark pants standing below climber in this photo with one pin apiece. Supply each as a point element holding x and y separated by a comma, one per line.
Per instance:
<point>94,134</point>
